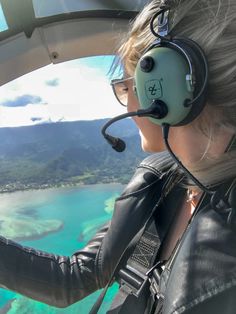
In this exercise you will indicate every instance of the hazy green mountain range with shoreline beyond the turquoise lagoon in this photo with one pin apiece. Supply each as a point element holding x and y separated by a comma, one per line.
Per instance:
<point>61,153</point>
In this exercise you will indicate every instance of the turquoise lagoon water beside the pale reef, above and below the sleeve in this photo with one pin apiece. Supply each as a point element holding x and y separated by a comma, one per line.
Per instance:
<point>82,210</point>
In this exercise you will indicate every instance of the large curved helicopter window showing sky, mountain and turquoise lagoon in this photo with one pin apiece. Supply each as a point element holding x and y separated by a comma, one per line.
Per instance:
<point>53,158</point>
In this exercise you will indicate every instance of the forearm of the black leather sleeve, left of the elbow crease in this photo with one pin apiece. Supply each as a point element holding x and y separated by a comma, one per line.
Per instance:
<point>52,279</point>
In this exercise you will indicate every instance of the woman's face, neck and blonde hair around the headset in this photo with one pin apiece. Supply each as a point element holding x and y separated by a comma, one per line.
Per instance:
<point>200,145</point>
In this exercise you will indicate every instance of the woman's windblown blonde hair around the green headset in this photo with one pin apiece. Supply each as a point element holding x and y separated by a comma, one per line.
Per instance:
<point>212,24</point>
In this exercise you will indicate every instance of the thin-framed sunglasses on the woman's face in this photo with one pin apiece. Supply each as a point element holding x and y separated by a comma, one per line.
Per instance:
<point>120,90</point>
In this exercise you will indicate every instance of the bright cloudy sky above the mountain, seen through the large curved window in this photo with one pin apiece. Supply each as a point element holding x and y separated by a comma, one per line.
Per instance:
<point>70,91</point>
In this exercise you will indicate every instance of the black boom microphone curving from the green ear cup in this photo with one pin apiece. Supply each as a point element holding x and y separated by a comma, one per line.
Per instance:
<point>157,110</point>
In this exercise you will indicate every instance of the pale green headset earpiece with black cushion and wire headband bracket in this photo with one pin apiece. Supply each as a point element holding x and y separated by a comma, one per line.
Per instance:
<point>172,75</point>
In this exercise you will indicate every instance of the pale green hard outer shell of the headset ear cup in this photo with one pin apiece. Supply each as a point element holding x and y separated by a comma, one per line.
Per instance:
<point>165,79</point>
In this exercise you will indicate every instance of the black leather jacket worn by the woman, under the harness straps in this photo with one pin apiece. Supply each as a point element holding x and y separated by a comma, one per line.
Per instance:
<point>201,278</point>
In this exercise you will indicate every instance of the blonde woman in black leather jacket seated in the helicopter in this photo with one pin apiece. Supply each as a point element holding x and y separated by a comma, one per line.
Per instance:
<point>196,274</point>
